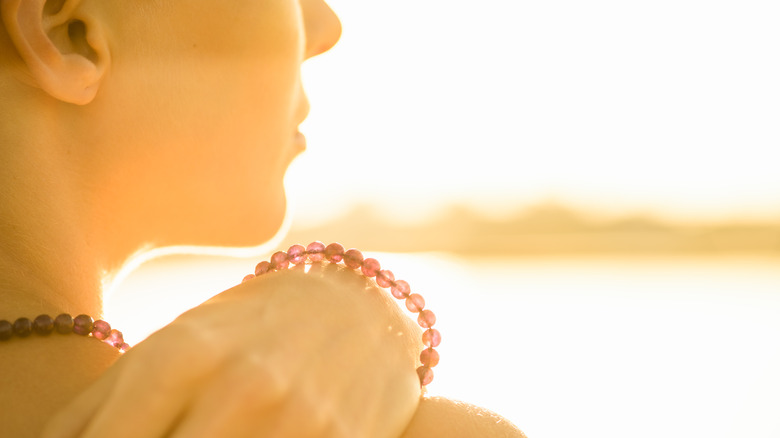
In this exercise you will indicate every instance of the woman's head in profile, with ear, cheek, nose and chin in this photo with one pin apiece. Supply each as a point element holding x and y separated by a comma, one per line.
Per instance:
<point>169,122</point>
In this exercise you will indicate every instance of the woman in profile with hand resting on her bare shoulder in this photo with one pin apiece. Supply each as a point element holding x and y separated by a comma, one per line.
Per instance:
<point>141,124</point>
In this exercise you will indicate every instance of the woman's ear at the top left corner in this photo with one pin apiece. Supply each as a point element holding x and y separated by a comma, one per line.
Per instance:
<point>62,44</point>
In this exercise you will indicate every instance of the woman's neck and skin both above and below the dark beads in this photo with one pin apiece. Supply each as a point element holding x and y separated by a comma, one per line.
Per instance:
<point>51,261</point>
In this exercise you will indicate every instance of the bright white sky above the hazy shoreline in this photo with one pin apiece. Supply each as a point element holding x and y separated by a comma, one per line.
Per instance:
<point>670,107</point>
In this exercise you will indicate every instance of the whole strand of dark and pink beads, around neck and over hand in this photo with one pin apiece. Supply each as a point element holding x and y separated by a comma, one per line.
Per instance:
<point>83,325</point>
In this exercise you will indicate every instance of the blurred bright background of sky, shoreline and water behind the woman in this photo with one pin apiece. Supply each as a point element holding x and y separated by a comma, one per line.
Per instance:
<point>587,194</point>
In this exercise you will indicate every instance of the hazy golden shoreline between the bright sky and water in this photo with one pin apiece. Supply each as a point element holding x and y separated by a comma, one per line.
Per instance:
<point>544,229</point>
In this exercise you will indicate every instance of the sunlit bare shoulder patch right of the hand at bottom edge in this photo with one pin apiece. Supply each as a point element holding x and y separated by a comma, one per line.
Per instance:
<point>441,417</point>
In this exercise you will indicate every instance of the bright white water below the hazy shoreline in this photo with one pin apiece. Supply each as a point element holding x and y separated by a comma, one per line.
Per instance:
<point>609,347</point>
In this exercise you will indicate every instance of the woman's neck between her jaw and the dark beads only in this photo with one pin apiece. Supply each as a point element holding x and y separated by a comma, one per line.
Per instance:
<point>49,261</point>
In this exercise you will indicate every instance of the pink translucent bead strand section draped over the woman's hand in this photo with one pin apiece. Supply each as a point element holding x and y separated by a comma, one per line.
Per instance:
<point>353,259</point>
